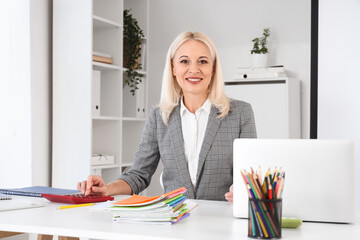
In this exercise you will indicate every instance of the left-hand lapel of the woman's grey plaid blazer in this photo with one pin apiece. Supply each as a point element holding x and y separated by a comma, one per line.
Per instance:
<point>178,147</point>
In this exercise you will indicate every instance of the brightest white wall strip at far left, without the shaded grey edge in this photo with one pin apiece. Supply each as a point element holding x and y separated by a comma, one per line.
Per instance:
<point>15,143</point>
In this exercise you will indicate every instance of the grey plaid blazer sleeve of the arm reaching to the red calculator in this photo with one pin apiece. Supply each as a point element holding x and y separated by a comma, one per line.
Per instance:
<point>146,157</point>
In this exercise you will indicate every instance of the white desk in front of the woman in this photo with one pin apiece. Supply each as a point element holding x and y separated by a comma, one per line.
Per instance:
<point>210,220</point>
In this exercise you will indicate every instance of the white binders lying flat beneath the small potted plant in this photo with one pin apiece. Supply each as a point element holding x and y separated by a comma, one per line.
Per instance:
<point>256,73</point>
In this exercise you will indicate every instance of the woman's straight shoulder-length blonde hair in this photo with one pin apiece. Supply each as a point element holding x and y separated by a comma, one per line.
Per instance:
<point>171,91</point>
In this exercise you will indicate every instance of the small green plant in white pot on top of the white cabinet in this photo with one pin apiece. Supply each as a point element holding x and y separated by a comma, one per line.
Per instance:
<point>259,53</point>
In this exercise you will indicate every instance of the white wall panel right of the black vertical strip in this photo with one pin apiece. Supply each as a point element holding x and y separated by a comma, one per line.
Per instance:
<point>338,79</point>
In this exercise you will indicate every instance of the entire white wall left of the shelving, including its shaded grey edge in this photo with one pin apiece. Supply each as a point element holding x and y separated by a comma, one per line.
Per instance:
<point>24,93</point>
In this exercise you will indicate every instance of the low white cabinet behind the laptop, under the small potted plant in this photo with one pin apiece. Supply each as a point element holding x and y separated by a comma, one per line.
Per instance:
<point>275,102</point>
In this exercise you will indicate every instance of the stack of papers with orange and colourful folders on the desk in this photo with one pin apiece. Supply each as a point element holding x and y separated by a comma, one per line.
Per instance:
<point>168,208</point>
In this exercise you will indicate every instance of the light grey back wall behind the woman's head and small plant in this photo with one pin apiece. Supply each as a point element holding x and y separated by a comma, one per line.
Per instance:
<point>232,24</point>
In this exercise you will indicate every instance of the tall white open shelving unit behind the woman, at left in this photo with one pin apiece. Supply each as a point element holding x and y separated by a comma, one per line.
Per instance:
<point>80,28</point>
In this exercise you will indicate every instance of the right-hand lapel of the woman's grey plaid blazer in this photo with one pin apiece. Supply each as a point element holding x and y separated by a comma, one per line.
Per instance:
<point>210,133</point>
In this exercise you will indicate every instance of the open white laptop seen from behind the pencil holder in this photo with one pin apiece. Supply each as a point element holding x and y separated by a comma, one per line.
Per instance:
<point>319,176</point>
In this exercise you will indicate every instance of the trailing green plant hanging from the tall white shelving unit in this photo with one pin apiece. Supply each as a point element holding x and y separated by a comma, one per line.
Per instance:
<point>132,51</point>
